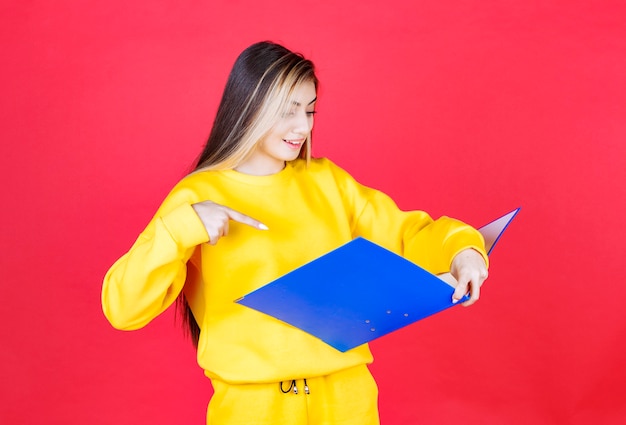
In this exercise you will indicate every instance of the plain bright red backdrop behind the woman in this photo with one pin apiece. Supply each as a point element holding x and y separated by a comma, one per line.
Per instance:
<point>463,108</point>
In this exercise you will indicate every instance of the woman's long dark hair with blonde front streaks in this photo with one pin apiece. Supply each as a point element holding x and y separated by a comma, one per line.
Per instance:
<point>259,89</point>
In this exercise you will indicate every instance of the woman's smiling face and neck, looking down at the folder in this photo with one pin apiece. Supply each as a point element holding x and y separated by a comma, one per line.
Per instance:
<point>285,140</point>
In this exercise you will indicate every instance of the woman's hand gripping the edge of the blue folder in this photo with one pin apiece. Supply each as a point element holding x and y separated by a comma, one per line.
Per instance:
<point>470,271</point>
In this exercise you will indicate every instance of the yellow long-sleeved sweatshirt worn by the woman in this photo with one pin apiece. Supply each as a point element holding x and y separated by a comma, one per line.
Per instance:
<point>309,210</point>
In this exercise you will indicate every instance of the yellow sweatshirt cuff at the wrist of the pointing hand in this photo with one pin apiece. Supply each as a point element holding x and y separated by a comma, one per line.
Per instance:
<point>185,226</point>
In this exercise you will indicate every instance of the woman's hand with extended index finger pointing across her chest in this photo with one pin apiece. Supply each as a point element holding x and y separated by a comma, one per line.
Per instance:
<point>216,218</point>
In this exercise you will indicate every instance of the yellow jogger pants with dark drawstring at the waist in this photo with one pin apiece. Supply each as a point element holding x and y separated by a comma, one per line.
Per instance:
<point>348,397</point>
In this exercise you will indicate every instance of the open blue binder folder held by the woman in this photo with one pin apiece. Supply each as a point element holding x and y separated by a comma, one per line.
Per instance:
<point>359,292</point>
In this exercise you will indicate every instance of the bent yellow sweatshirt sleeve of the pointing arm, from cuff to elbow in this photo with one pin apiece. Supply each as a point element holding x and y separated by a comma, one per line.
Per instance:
<point>148,278</point>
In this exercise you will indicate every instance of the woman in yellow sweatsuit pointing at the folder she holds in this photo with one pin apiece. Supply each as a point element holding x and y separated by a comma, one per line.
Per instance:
<point>256,207</point>
